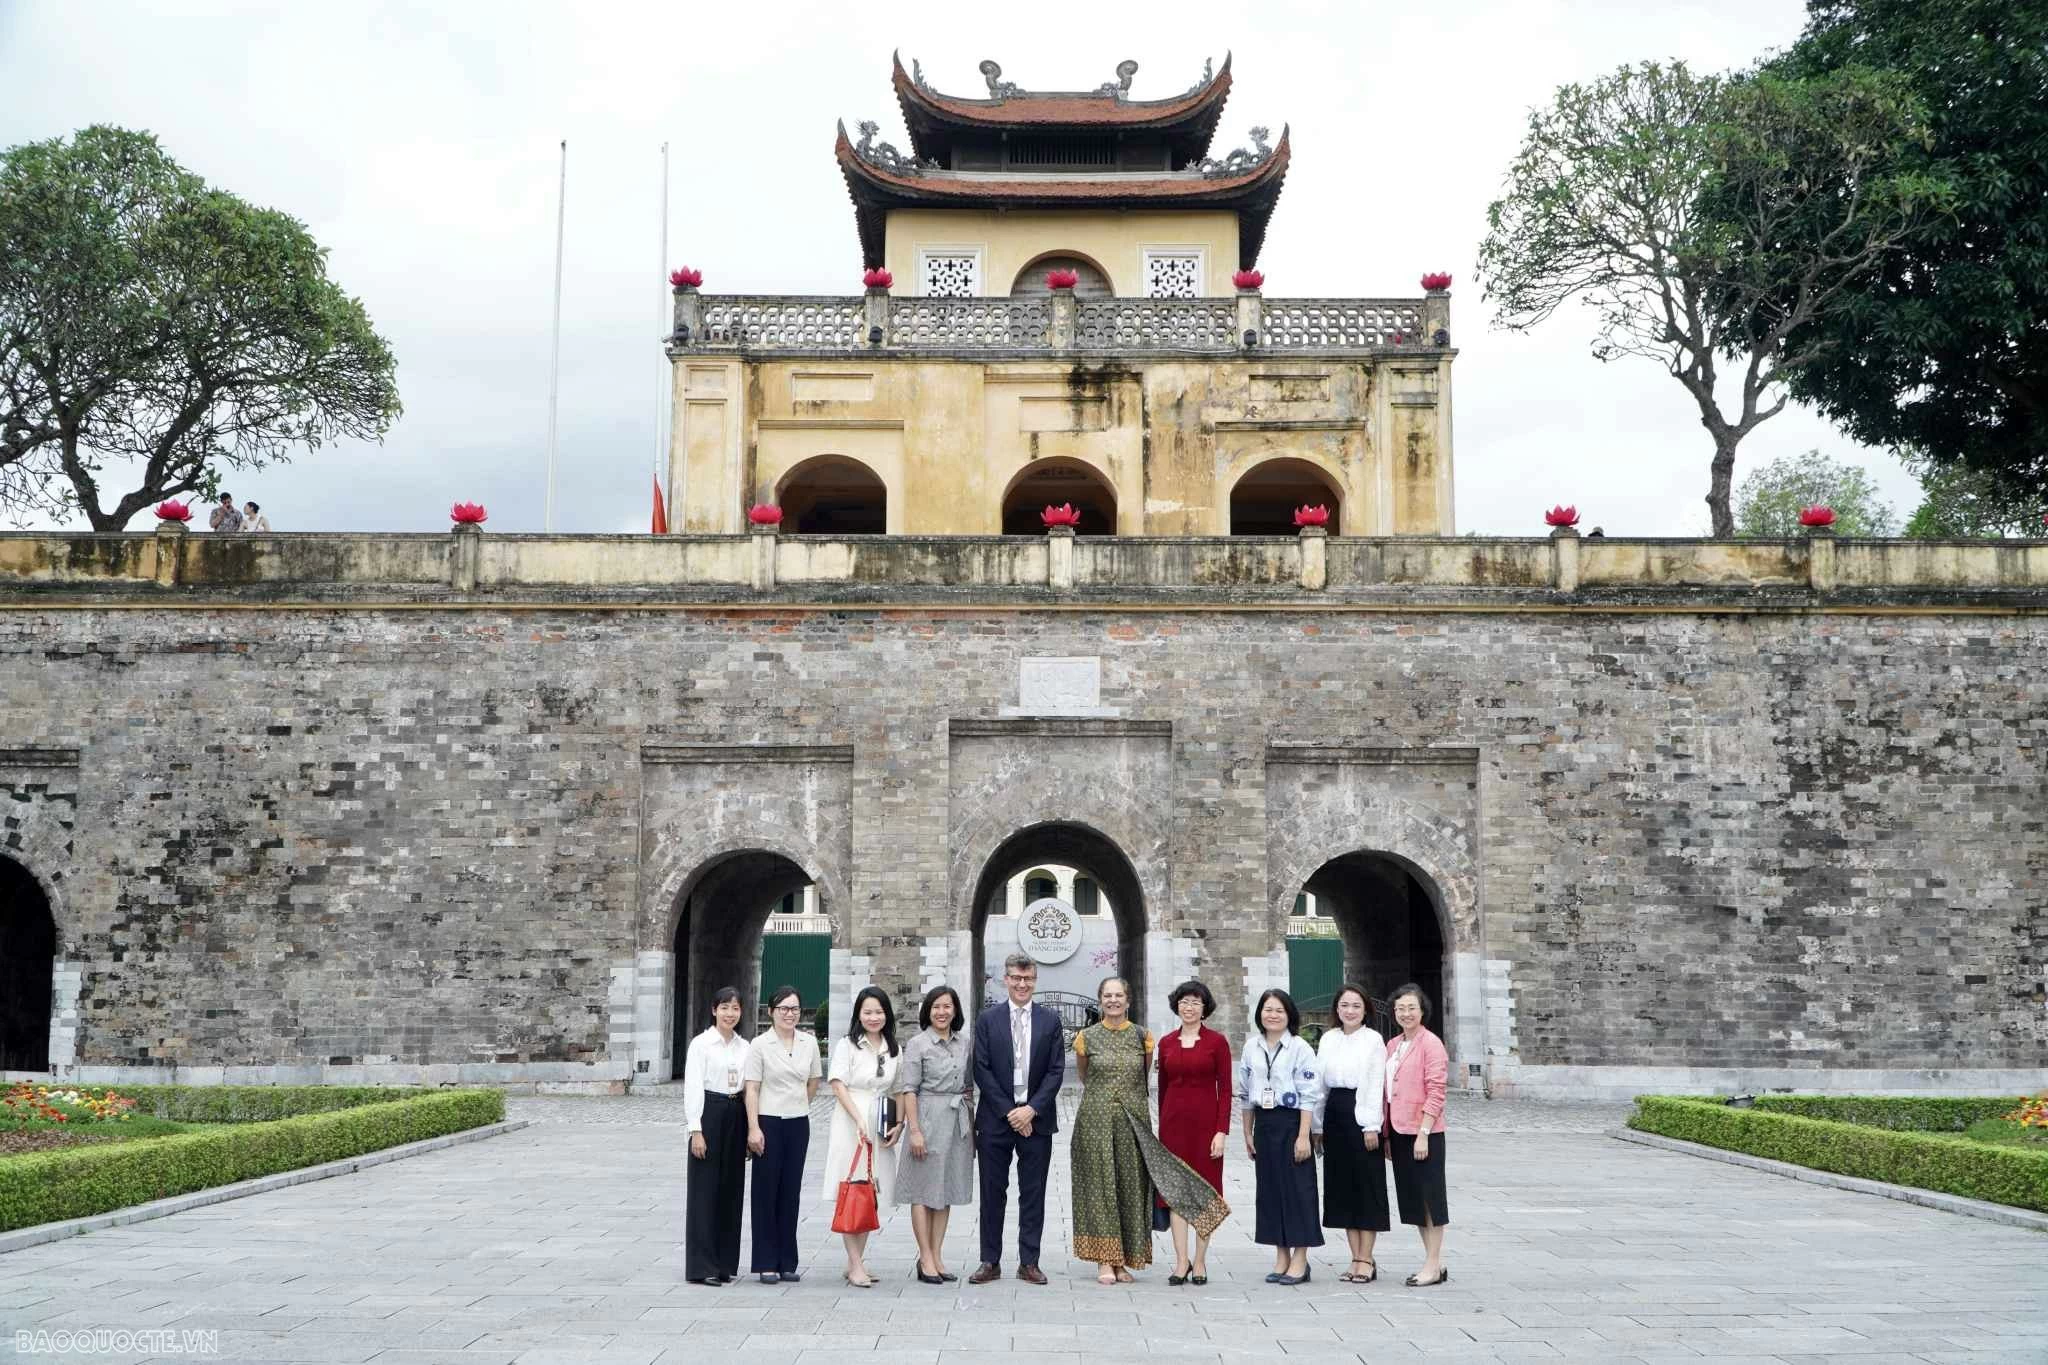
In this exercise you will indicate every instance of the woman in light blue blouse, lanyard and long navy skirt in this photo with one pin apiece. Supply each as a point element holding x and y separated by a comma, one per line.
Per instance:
<point>1277,1077</point>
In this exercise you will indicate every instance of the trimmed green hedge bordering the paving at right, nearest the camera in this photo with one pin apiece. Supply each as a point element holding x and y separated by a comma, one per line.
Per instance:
<point>1953,1165</point>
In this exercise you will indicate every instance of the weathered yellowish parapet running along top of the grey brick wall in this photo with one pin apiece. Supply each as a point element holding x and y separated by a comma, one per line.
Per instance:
<point>1193,570</point>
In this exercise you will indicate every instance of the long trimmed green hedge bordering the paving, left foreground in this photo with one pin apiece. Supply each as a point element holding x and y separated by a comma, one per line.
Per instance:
<point>42,1188</point>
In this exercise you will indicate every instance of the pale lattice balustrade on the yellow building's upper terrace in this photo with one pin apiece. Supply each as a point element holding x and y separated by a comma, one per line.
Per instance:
<point>1056,324</point>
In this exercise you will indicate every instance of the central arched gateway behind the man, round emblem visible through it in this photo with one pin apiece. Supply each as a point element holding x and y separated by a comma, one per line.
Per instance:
<point>1107,869</point>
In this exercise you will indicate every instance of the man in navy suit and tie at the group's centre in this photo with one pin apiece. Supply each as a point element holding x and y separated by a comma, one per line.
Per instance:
<point>1021,1059</point>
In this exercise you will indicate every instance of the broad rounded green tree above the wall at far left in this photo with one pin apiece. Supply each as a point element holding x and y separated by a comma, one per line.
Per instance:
<point>161,331</point>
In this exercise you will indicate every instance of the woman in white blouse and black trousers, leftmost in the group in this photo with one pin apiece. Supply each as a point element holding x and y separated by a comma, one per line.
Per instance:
<point>718,1145</point>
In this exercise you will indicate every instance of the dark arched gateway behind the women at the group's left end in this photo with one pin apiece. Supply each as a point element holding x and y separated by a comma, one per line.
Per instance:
<point>718,936</point>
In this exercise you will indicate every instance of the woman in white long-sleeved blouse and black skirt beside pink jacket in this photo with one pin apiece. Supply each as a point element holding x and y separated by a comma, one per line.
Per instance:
<point>1349,1118</point>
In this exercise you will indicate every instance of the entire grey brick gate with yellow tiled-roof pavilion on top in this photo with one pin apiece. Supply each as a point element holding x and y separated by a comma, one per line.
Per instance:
<point>482,807</point>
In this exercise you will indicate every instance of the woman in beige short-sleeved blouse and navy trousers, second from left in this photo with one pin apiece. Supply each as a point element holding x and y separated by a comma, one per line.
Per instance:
<point>781,1073</point>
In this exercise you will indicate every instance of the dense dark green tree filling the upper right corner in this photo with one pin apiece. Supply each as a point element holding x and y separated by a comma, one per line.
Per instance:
<point>1945,349</point>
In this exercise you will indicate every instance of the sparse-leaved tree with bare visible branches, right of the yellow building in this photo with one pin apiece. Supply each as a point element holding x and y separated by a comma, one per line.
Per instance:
<point>1668,204</point>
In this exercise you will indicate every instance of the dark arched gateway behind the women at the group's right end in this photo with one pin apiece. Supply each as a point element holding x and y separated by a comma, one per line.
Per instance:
<point>1392,924</point>
